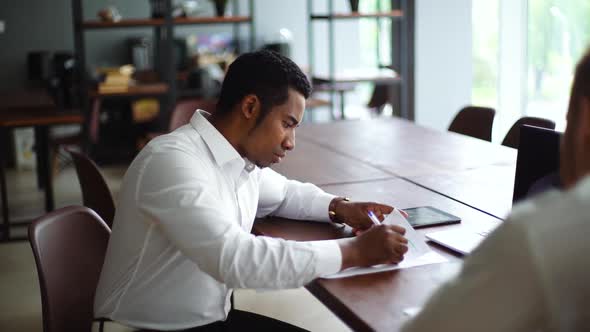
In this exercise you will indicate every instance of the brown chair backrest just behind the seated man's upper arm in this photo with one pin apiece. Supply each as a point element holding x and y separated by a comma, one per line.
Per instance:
<point>95,192</point>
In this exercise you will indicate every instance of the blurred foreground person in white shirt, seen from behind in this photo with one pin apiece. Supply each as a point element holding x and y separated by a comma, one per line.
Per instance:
<point>532,273</point>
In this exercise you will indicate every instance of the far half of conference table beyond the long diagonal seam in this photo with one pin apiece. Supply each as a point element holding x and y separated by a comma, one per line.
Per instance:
<point>474,172</point>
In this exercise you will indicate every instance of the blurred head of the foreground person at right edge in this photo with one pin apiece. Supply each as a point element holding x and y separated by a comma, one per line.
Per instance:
<point>575,145</point>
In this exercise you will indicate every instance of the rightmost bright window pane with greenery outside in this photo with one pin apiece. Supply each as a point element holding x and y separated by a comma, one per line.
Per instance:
<point>558,35</point>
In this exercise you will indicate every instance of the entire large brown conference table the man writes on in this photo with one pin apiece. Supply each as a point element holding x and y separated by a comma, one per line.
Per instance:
<point>470,178</point>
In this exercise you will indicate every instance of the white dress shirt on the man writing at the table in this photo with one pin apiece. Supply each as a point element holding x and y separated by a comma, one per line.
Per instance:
<point>181,234</point>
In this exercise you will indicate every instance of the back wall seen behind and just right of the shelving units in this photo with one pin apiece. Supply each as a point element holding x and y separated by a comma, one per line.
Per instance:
<point>442,46</point>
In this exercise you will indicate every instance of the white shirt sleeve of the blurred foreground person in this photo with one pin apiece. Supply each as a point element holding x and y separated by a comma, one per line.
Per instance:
<point>497,290</point>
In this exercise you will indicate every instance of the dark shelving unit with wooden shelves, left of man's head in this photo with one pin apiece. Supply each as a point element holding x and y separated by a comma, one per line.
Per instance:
<point>166,88</point>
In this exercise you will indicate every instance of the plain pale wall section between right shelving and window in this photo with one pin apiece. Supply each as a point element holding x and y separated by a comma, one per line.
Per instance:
<point>443,71</point>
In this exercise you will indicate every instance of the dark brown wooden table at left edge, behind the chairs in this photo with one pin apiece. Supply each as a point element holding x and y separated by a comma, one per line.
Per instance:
<point>31,108</point>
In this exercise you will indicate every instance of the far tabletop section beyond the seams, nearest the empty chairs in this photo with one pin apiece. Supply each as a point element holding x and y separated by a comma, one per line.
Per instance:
<point>404,148</point>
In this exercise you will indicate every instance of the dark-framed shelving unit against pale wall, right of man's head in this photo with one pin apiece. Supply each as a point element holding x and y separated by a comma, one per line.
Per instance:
<point>397,75</point>
